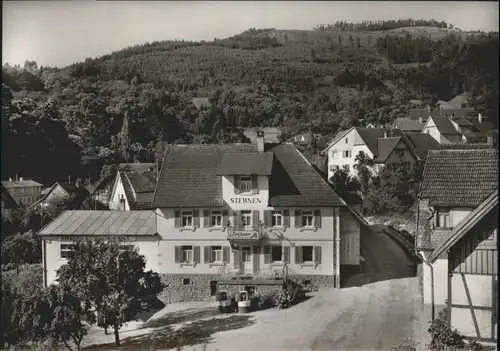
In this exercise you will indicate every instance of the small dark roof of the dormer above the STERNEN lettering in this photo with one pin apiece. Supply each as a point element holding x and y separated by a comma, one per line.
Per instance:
<point>246,164</point>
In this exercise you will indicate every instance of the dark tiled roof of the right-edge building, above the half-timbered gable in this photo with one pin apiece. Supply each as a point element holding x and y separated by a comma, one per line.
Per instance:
<point>459,177</point>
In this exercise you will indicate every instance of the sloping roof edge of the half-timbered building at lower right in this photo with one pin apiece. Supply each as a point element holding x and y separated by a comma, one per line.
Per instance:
<point>487,207</point>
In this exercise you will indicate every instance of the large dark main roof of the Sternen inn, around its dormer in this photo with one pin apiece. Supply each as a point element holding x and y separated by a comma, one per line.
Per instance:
<point>189,178</point>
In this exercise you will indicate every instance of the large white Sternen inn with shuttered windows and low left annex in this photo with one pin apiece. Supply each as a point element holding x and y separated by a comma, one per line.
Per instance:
<point>227,211</point>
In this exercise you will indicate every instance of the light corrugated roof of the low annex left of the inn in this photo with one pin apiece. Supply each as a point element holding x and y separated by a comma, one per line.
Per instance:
<point>102,223</point>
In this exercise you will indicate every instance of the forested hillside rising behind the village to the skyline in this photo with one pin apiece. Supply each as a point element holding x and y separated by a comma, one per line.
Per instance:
<point>126,105</point>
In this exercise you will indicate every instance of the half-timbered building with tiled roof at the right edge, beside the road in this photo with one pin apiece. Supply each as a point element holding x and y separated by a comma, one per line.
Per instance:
<point>457,235</point>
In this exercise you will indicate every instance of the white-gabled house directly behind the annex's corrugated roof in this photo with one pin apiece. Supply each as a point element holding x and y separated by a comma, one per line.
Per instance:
<point>133,190</point>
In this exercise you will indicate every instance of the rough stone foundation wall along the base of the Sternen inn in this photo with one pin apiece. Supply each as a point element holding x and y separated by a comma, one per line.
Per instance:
<point>197,287</point>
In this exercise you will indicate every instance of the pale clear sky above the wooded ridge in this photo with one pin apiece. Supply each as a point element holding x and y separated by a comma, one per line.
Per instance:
<point>59,33</point>
